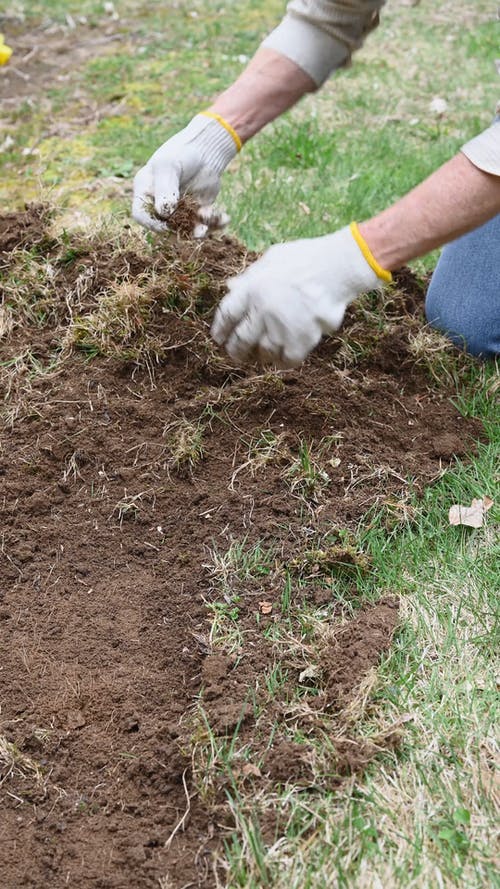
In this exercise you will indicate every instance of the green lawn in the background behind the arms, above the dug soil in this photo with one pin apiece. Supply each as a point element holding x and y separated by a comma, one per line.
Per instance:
<point>345,152</point>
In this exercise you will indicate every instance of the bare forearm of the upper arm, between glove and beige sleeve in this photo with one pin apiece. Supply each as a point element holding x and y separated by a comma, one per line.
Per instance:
<point>269,85</point>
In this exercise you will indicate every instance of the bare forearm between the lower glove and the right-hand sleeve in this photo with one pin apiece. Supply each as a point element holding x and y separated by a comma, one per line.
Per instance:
<point>455,199</point>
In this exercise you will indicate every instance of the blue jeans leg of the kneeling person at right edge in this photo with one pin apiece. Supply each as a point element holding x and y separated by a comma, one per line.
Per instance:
<point>463,299</point>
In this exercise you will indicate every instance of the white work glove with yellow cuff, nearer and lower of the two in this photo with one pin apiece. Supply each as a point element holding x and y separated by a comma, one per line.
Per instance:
<point>282,305</point>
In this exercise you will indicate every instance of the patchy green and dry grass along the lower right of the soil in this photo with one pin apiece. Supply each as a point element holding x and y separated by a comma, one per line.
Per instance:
<point>426,815</point>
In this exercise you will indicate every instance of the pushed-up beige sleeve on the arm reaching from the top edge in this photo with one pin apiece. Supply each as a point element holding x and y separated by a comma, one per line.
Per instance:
<point>320,35</point>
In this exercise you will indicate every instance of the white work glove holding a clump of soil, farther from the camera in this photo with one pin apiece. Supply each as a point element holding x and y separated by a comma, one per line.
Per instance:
<point>190,163</point>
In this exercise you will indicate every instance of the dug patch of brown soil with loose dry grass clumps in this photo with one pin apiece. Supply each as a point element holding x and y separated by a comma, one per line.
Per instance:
<point>133,458</point>
